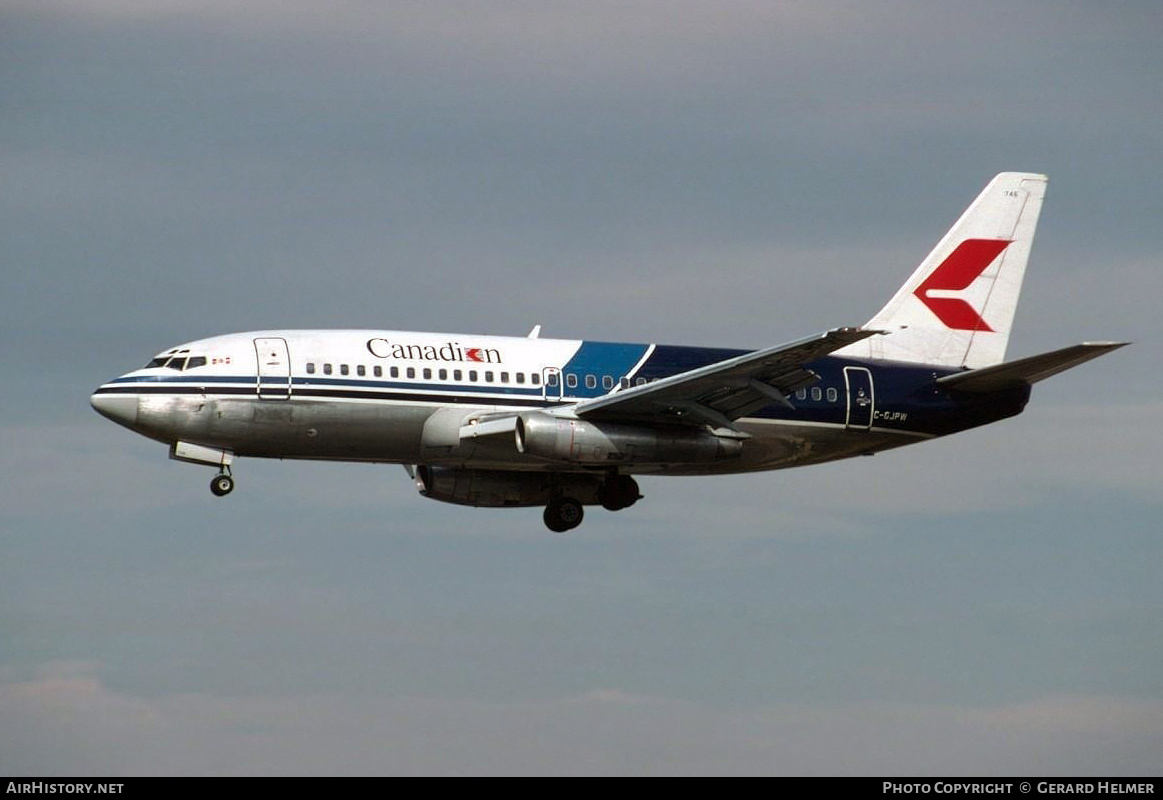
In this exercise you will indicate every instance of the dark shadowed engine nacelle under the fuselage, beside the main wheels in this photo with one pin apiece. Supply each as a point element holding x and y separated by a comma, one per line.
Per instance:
<point>501,489</point>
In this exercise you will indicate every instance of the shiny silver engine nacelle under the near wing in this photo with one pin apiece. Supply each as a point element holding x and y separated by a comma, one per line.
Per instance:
<point>609,444</point>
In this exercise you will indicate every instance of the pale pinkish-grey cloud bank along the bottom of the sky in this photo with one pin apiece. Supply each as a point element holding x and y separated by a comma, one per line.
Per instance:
<point>68,723</point>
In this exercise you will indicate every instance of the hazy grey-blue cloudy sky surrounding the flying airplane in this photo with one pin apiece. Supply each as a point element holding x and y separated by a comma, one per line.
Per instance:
<point>718,174</point>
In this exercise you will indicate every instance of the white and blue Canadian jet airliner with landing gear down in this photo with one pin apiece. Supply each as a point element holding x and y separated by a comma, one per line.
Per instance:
<point>496,422</point>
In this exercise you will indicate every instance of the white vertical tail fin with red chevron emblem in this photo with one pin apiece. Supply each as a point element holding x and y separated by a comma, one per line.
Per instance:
<point>959,306</point>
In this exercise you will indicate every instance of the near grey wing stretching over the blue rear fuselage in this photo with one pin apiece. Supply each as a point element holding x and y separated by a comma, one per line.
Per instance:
<point>720,394</point>
